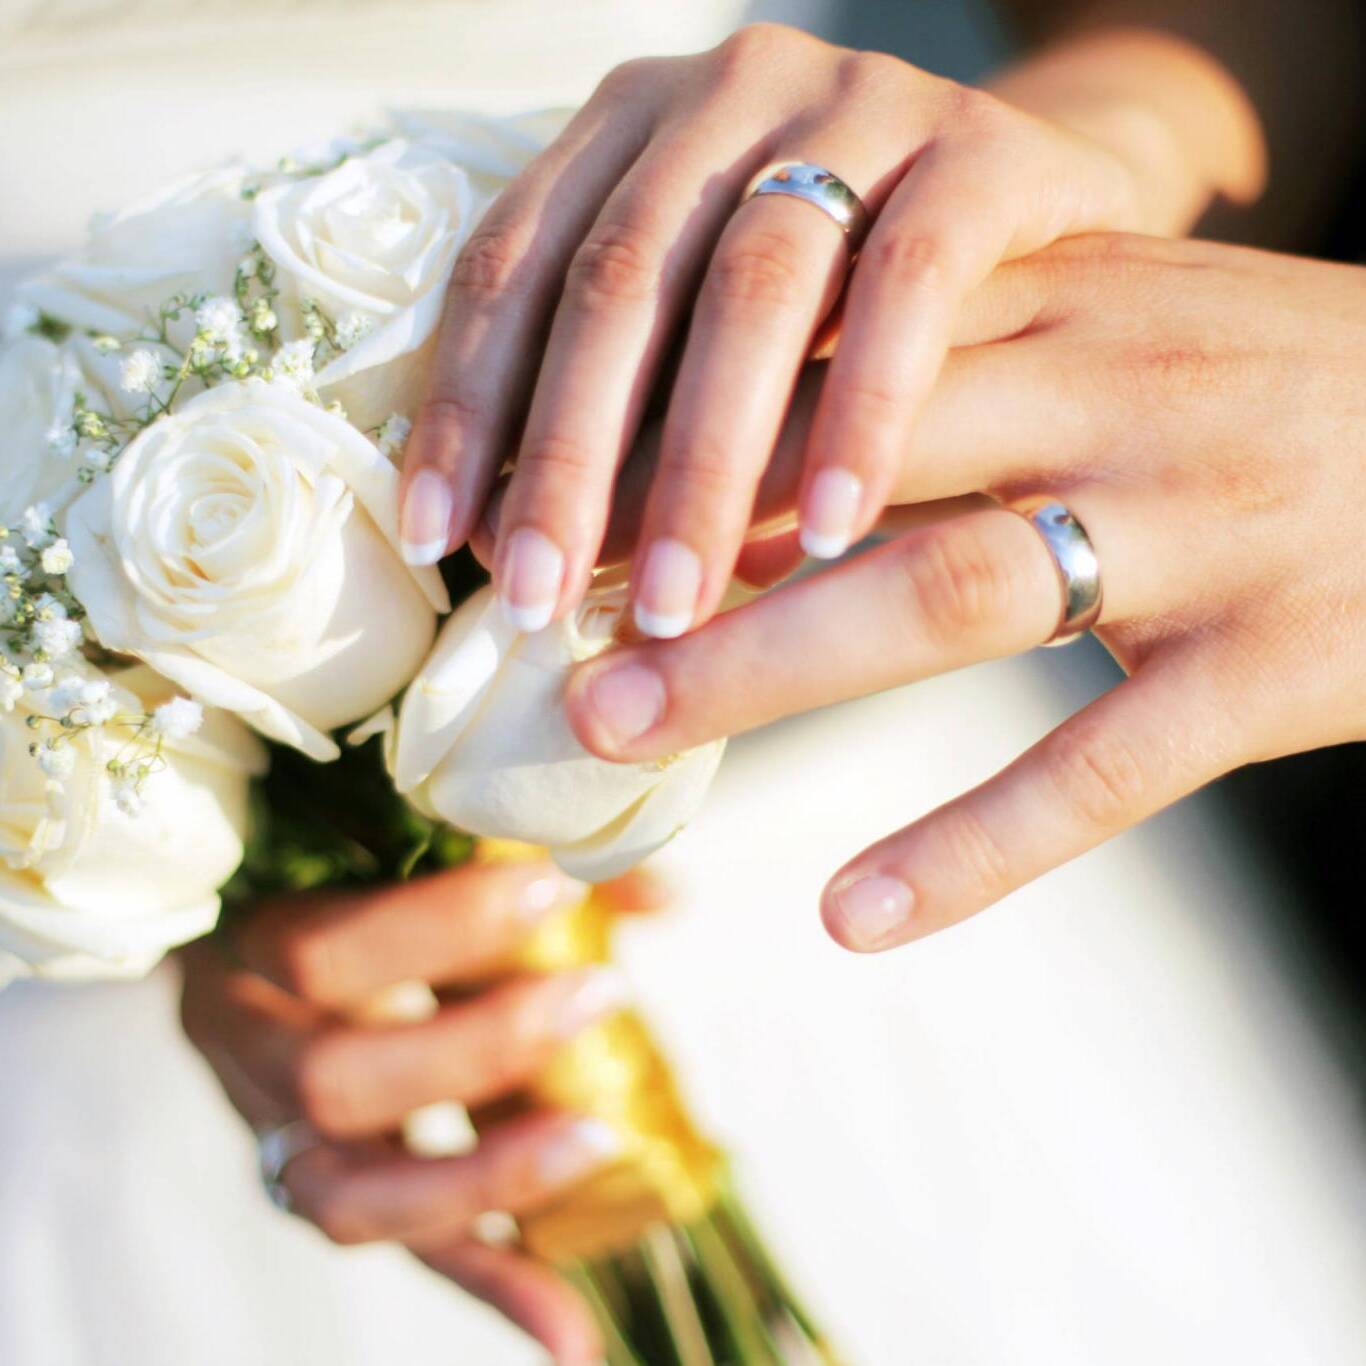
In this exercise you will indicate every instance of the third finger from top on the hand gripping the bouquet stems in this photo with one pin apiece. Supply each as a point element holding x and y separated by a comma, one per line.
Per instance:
<point>368,1195</point>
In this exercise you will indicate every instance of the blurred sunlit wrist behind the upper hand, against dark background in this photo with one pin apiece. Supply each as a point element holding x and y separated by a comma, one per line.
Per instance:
<point>1171,114</point>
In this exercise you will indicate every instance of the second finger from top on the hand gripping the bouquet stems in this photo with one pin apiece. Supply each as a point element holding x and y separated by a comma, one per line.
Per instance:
<point>350,1083</point>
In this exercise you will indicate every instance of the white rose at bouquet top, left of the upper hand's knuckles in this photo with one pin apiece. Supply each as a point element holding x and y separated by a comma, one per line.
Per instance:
<point>372,244</point>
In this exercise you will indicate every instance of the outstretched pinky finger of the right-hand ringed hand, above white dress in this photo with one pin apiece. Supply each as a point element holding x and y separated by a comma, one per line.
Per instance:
<point>1132,753</point>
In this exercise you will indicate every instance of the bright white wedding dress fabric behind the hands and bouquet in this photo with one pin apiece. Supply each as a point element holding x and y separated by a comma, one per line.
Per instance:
<point>1093,1126</point>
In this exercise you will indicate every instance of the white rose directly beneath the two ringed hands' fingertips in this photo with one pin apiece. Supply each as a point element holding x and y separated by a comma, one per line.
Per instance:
<point>484,742</point>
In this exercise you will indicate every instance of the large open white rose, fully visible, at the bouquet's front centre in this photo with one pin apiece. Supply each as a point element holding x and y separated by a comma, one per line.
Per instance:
<point>247,547</point>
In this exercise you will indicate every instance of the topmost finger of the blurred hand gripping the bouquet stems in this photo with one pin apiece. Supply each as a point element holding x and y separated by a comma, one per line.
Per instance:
<point>339,949</point>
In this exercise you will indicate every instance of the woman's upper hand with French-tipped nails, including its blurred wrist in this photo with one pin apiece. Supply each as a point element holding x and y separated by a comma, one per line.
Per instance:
<point>629,229</point>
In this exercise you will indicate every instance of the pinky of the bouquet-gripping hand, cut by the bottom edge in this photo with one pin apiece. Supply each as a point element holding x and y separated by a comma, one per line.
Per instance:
<point>525,1292</point>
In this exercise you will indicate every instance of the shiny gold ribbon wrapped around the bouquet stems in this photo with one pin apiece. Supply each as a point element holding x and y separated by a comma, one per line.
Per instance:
<point>614,1072</point>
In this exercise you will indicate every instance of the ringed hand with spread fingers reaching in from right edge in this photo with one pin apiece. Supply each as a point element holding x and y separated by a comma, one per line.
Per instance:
<point>1201,412</point>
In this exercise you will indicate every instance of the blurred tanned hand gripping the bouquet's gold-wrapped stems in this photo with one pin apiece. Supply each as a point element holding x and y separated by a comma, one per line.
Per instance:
<point>286,1039</point>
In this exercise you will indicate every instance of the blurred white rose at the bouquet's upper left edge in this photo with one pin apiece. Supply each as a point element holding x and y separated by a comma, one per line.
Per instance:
<point>186,240</point>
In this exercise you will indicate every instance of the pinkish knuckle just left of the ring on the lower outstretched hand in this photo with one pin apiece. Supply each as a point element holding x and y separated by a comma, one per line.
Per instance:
<point>957,584</point>
